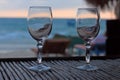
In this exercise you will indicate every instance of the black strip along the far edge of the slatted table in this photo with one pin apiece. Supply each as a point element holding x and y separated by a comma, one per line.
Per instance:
<point>59,58</point>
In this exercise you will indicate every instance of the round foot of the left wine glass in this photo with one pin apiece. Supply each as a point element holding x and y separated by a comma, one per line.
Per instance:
<point>39,68</point>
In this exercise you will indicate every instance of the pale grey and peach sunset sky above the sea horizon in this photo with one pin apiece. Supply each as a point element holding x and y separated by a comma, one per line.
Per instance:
<point>60,8</point>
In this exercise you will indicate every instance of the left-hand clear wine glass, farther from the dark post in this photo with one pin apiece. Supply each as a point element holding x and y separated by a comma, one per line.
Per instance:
<point>39,26</point>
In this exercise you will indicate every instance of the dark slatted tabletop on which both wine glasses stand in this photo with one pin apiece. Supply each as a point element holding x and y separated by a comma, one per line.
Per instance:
<point>62,69</point>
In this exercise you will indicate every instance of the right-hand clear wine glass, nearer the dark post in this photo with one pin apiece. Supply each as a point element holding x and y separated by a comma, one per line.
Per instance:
<point>87,24</point>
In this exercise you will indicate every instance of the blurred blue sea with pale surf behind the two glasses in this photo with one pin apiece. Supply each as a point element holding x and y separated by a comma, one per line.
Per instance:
<point>14,34</point>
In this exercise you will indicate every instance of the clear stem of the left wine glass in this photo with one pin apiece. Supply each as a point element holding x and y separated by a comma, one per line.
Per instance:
<point>39,47</point>
